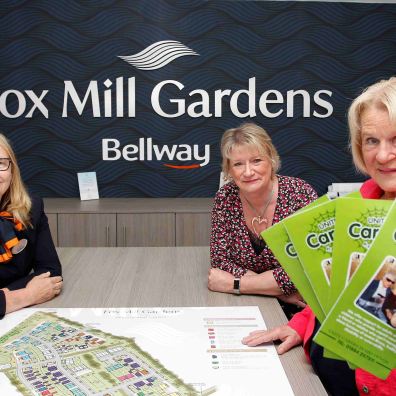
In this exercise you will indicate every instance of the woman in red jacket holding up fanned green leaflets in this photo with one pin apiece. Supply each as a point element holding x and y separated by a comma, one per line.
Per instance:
<point>372,125</point>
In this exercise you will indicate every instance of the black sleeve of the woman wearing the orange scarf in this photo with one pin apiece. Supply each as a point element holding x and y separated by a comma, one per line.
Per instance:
<point>44,257</point>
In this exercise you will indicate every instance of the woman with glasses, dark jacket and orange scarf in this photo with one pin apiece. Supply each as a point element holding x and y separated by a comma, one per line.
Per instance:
<point>30,271</point>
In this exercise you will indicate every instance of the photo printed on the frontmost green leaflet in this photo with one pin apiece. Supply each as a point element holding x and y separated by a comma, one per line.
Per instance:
<point>379,296</point>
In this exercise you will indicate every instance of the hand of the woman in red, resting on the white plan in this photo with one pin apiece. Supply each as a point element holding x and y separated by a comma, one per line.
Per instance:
<point>286,334</point>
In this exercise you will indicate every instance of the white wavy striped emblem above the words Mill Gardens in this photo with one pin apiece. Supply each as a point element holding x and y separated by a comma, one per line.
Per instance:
<point>158,55</point>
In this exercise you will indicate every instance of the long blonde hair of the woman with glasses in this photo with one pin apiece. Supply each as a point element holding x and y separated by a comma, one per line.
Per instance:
<point>15,200</point>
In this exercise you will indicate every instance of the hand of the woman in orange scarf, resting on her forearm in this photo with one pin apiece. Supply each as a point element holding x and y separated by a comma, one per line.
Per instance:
<point>44,287</point>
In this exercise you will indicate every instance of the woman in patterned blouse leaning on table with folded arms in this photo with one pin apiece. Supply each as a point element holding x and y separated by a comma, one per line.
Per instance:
<point>255,197</point>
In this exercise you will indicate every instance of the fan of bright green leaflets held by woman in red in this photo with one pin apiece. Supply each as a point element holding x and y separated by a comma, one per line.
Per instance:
<point>344,265</point>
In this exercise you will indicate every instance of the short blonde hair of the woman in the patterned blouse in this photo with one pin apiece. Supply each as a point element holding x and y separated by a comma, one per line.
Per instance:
<point>250,135</point>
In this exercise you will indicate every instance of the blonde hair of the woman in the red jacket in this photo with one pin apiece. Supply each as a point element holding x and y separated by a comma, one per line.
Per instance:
<point>381,95</point>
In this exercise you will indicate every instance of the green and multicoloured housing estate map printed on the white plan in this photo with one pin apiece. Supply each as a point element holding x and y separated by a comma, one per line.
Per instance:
<point>48,355</point>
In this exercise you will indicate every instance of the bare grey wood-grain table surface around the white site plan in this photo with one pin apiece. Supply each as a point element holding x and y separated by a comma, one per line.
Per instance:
<point>165,277</point>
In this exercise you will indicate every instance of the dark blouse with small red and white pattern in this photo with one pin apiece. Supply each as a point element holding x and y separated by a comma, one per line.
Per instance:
<point>230,247</point>
